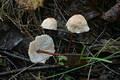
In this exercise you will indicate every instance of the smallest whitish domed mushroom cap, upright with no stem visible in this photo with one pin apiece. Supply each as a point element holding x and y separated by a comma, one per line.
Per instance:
<point>49,23</point>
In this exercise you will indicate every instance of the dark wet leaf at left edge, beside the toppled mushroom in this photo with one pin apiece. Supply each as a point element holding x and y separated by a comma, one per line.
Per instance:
<point>9,38</point>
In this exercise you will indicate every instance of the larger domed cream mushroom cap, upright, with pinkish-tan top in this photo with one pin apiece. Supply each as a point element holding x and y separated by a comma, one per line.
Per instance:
<point>77,24</point>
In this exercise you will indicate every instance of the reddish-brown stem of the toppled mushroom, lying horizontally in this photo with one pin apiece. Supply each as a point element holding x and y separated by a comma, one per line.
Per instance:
<point>58,54</point>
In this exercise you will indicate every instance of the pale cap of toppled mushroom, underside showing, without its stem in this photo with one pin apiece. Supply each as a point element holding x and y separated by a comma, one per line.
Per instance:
<point>43,42</point>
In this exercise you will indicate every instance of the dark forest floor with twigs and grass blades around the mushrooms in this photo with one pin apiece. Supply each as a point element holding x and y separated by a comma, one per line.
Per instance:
<point>19,25</point>
